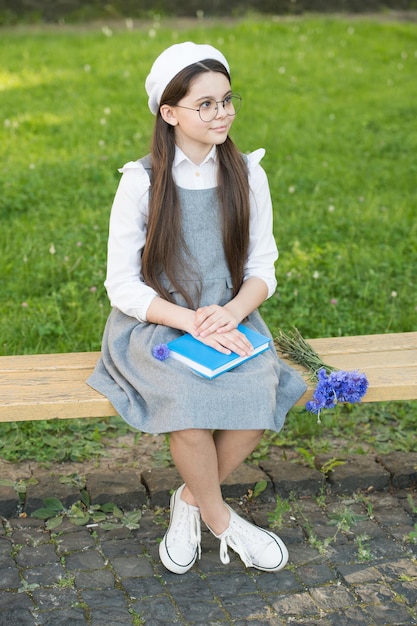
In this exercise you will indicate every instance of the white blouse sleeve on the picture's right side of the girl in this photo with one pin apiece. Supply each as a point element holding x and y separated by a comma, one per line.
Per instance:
<point>263,251</point>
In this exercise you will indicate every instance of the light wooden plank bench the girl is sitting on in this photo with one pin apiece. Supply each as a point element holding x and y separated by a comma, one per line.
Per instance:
<point>53,385</point>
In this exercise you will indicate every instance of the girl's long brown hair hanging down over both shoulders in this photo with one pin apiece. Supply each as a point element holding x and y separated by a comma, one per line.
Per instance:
<point>164,240</point>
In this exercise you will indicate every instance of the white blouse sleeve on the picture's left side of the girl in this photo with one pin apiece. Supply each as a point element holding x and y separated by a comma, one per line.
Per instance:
<point>127,235</point>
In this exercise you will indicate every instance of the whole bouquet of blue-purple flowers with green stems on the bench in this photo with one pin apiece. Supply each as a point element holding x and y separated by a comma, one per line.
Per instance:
<point>333,385</point>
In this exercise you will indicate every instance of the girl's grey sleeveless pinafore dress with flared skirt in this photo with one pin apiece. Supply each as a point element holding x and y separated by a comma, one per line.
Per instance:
<point>163,396</point>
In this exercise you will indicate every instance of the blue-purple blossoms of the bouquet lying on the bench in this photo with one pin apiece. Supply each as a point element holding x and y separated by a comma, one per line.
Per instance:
<point>337,386</point>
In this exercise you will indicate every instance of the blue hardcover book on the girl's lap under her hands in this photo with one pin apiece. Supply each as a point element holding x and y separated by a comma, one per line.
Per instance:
<point>209,362</point>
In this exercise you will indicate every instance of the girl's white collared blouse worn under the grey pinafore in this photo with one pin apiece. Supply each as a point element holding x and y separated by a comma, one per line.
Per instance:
<point>128,220</point>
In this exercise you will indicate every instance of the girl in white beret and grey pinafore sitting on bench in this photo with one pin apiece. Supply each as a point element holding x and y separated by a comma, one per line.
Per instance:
<point>191,250</point>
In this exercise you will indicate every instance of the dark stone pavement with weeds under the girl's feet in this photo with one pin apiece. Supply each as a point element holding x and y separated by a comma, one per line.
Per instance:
<point>352,539</point>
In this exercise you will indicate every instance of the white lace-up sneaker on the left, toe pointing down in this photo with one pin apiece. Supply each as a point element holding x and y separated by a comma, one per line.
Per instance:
<point>180,546</point>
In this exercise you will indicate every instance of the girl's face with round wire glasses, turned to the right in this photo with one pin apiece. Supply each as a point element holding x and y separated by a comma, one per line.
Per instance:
<point>192,135</point>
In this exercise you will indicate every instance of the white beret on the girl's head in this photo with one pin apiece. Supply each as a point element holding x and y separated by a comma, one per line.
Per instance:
<point>171,62</point>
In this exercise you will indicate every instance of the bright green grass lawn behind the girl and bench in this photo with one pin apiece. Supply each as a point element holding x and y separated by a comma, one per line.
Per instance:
<point>333,101</point>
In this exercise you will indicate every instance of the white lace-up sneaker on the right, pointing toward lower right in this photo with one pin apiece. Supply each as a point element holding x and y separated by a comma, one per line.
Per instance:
<point>256,546</point>
